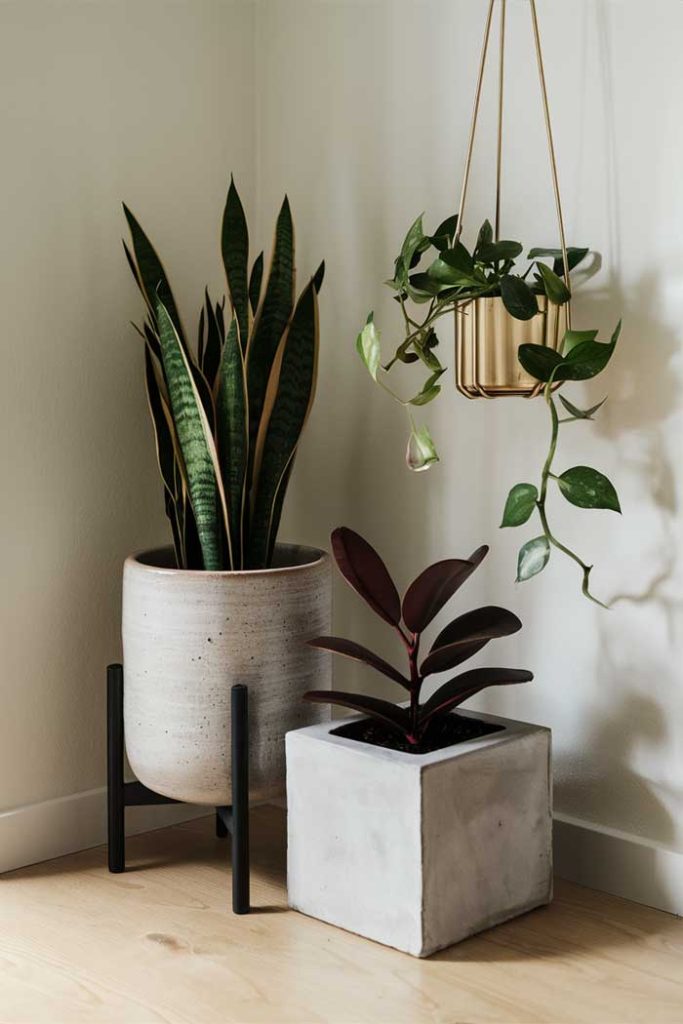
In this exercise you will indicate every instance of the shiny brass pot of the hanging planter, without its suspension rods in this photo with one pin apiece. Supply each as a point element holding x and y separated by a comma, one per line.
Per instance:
<point>487,342</point>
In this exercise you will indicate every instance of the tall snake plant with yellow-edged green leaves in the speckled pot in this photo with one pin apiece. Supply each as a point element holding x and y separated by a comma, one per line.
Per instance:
<point>229,416</point>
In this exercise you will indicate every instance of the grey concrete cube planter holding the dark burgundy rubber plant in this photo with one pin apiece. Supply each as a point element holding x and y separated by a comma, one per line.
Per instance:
<point>419,851</point>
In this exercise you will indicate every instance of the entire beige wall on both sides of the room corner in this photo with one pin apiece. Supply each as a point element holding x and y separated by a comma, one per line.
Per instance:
<point>359,109</point>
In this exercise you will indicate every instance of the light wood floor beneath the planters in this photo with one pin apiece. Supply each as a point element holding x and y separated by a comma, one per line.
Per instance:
<point>158,945</point>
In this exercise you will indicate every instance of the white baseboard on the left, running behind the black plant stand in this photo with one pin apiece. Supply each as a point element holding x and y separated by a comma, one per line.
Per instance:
<point>56,828</point>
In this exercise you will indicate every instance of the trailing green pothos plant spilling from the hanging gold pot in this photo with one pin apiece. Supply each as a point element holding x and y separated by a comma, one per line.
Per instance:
<point>454,279</point>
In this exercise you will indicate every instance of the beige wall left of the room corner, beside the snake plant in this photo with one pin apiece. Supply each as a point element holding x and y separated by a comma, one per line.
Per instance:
<point>150,102</point>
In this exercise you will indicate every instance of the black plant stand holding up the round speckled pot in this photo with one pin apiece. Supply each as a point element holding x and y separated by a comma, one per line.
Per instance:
<point>121,795</point>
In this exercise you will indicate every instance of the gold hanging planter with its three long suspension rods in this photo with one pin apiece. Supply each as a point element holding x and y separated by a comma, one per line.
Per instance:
<point>488,337</point>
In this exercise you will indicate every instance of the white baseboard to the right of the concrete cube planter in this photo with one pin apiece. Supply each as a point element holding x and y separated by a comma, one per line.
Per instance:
<point>620,864</point>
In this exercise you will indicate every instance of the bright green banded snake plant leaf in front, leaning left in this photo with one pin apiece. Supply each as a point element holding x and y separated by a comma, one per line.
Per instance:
<point>199,453</point>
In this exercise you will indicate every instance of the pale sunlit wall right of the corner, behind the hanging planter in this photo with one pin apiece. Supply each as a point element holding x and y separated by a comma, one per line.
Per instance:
<point>370,129</point>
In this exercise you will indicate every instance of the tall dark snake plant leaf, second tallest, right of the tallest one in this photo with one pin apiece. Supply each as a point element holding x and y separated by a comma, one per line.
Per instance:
<point>271,322</point>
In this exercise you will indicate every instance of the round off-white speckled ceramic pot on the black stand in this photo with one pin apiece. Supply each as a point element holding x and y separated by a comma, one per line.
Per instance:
<point>189,636</point>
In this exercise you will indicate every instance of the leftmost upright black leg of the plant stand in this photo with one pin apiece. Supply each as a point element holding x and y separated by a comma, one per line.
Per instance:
<point>115,786</point>
